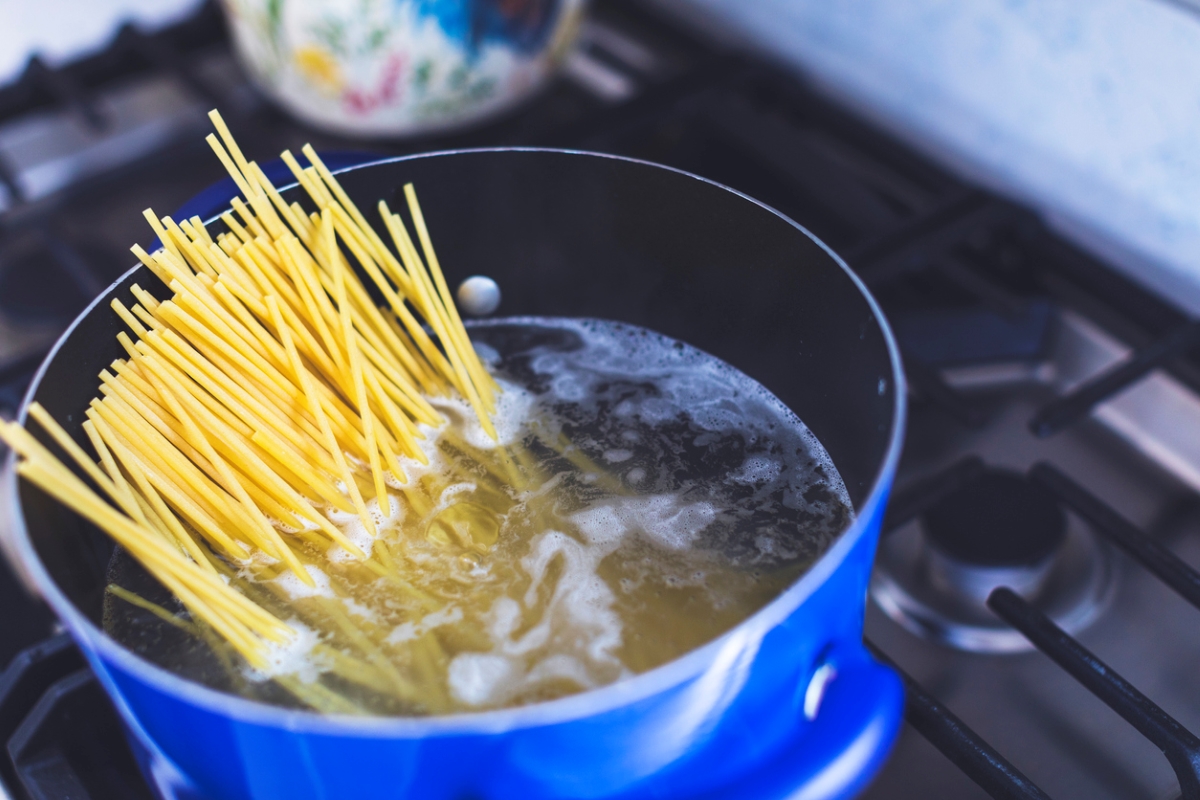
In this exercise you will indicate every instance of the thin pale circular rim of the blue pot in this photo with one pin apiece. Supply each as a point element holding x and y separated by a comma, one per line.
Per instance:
<point>574,707</point>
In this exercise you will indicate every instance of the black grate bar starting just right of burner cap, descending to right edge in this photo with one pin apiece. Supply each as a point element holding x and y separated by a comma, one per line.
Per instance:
<point>1161,562</point>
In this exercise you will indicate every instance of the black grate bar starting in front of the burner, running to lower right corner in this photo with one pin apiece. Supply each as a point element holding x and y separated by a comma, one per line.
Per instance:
<point>1180,745</point>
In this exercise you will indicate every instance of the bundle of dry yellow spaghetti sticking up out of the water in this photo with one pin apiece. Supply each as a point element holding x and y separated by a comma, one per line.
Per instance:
<point>267,388</point>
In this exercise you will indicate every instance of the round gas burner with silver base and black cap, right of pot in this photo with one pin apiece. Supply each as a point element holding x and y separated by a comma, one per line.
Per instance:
<point>1000,530</point>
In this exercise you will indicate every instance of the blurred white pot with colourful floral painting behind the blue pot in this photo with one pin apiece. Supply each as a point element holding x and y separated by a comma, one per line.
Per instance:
<point>394,68</point>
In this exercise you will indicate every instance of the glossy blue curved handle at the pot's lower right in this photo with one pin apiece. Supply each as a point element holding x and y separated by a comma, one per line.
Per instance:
<point>856,707</point>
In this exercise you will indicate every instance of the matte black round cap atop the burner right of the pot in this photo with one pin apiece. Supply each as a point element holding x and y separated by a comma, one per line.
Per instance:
<point>999,520</point>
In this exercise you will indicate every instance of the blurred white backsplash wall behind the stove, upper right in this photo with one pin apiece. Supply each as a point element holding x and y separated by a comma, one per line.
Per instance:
<point>1089,111</point>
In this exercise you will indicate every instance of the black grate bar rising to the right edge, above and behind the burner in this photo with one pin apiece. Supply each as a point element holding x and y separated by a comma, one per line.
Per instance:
<point>1077,404</point>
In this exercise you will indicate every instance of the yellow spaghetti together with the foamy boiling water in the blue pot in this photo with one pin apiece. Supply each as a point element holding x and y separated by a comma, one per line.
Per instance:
<point>327,503</point>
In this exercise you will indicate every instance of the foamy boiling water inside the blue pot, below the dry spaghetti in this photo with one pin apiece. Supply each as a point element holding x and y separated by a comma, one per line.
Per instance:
<point>644,498</point>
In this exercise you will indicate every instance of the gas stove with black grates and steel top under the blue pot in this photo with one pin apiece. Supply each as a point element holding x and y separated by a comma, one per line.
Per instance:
<point>1036,582</point>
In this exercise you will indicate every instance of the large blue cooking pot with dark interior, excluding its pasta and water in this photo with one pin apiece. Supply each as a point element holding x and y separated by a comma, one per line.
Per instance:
<point>788,705</point>
